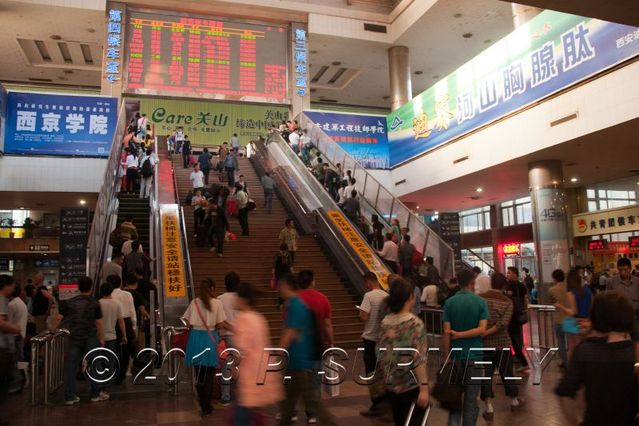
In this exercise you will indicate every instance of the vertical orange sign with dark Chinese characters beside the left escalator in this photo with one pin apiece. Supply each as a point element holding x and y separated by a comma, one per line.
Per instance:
<point>174,285</point>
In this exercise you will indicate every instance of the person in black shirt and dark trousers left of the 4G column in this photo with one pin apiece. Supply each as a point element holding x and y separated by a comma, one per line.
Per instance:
<point>519,295</point>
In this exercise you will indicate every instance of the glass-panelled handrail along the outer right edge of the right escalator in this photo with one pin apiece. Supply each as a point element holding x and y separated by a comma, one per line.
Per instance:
<point>446,261</point>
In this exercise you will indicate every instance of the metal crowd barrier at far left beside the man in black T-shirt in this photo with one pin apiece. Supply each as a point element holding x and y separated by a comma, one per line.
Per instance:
<point>52,344</point>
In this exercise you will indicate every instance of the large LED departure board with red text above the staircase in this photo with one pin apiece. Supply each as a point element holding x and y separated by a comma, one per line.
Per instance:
<point>206,57</point>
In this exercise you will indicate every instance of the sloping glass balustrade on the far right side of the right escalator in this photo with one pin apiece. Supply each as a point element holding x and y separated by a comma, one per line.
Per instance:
<point>386,205</point>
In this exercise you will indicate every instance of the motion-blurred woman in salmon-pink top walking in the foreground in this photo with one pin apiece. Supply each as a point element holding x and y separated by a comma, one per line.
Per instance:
<point>251,336</point>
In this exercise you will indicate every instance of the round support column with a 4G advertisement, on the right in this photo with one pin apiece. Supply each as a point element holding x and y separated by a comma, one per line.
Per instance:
<point>550,221</point>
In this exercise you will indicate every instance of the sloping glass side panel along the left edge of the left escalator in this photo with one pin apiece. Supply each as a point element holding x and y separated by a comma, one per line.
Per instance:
<point>105,213</point>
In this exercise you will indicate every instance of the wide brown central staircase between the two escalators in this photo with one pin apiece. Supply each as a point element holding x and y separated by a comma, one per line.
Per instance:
<point>252,258</point>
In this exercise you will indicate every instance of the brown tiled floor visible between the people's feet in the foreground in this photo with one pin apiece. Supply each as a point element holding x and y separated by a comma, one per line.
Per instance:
<point>155,406</point>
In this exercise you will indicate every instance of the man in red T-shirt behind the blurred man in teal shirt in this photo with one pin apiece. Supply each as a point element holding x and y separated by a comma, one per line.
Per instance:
<point>320,306</point>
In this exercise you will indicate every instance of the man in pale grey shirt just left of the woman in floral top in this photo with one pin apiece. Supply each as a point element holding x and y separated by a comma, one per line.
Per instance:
<point>372,311</point>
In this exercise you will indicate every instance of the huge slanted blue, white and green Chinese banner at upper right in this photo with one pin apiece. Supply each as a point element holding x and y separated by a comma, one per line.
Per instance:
<point>549,53</point>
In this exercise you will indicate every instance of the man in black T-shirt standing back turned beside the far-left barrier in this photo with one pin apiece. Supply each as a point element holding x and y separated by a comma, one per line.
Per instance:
<point>83,318</point>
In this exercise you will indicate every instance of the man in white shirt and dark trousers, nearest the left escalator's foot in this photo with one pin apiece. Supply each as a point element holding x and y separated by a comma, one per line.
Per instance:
<point>128,342</point>
